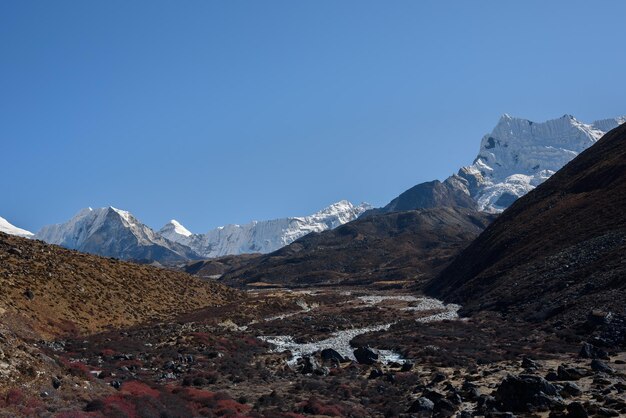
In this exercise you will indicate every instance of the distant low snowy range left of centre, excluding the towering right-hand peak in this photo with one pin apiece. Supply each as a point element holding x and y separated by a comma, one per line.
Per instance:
<point>112,232</point>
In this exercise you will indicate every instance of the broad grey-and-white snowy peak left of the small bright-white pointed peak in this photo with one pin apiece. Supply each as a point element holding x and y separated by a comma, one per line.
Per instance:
<point>112,232</point>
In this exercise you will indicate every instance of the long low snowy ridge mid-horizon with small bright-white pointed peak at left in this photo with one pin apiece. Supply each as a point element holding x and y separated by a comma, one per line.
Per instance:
<point>263,236</point>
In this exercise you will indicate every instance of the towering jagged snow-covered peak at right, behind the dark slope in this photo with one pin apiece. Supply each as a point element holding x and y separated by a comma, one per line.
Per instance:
<point>519,154</point>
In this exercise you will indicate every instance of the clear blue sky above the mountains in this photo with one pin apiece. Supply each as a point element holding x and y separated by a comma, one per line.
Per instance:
<point>216,112</point>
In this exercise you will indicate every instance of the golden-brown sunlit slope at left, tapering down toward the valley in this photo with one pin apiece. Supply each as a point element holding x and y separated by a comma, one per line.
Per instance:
<point>55,290</point>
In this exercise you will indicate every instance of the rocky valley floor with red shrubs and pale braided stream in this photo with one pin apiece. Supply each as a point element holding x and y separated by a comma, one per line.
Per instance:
<point>231,361</point>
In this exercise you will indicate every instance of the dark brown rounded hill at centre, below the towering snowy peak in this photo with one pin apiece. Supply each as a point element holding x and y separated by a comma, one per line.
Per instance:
<point>400,246</point>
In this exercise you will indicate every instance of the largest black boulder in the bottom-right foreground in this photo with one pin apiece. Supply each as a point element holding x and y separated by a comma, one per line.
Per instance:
<point>525,393</point>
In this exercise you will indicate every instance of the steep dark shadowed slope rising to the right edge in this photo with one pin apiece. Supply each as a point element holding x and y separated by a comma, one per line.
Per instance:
<point>557,252</point>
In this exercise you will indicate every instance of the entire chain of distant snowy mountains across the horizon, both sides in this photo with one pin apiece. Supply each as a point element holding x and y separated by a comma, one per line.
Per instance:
<point>513,159</point>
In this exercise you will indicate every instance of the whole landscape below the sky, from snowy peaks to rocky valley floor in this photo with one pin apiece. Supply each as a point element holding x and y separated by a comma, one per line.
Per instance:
<point>497,292</point>
